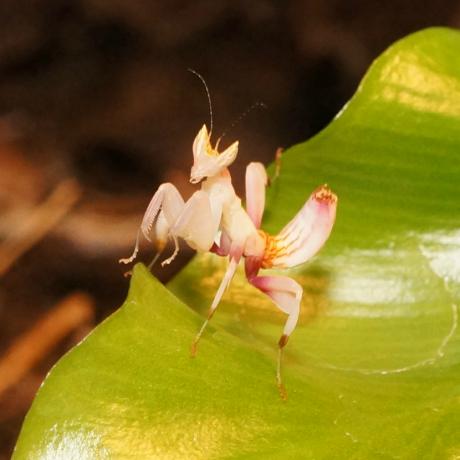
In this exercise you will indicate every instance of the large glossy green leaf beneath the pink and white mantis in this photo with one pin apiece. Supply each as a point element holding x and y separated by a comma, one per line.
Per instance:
<point>373,368</point>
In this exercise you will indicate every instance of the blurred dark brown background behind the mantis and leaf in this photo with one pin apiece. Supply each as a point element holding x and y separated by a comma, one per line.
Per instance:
<point>97,109</point>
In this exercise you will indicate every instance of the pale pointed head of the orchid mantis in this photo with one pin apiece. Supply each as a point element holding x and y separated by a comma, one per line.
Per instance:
<point>207,161</point>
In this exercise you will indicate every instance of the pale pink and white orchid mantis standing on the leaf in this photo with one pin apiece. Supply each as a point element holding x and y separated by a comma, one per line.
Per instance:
<point>213,219</point>
